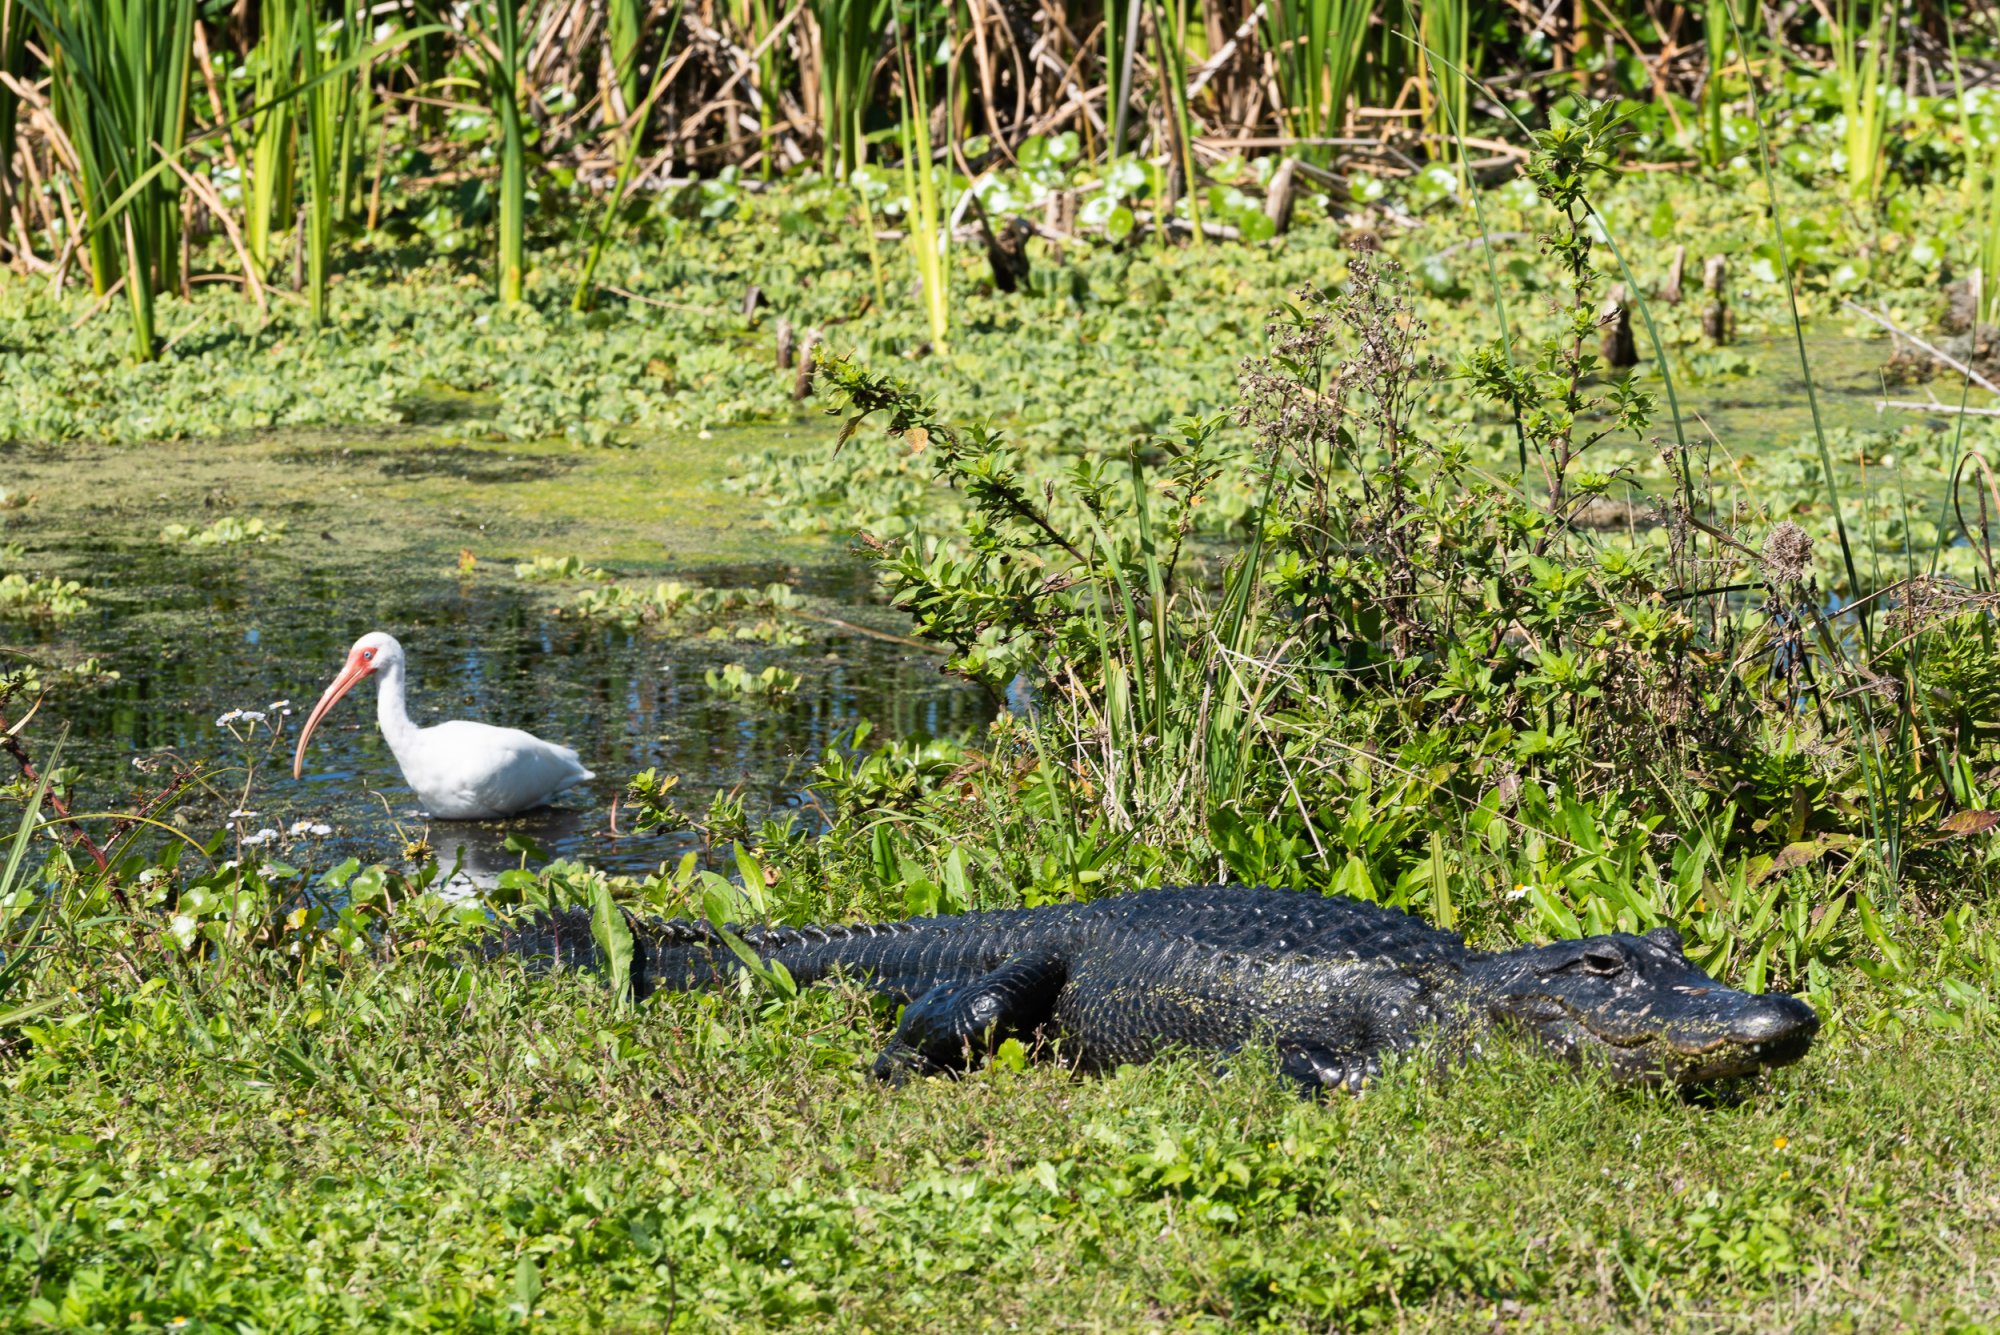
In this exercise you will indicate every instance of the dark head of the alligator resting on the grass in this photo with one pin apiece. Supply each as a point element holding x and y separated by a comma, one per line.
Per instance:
<point>1643,1010</point>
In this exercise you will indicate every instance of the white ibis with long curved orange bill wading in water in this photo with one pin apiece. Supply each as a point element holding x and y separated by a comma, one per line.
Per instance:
<point>461,772</point>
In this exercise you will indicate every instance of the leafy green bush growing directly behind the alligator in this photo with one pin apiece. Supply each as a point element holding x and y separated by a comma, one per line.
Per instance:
<point>1421,682</point>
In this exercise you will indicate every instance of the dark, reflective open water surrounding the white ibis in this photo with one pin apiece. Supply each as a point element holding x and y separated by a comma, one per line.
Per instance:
<point>189,651</point>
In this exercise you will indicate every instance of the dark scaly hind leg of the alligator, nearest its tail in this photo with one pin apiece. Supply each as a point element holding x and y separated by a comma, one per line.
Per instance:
<point>943,1028</point>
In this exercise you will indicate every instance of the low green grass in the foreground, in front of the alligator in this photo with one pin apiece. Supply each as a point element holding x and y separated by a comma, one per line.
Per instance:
<point>433,1148</point>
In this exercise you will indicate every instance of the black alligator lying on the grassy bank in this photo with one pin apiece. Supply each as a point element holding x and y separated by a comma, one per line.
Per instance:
<point>1333,984</point>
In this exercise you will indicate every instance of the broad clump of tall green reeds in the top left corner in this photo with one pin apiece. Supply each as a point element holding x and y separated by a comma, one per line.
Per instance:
<point>119,87</point>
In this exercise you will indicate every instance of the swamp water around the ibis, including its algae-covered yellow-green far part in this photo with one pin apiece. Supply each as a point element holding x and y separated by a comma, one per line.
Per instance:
<point>373,537</point>
